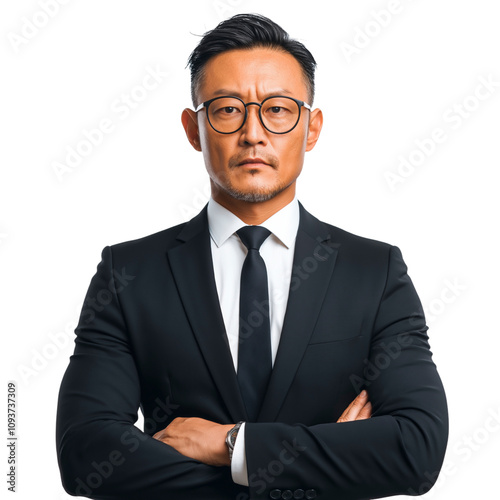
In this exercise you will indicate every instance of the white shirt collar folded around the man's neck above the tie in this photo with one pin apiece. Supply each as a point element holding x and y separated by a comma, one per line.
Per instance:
<point>284,224</point>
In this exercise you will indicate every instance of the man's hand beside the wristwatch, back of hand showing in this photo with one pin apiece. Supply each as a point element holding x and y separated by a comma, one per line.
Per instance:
<point>197,438</point>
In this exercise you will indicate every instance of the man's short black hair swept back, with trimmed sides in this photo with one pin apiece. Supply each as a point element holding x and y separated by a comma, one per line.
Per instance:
<point>247,31</point>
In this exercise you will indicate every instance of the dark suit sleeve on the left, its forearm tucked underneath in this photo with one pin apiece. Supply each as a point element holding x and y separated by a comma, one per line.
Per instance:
<point>101,454</point>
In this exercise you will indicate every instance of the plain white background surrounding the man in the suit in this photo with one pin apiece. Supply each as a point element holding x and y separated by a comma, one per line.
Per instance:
<point>400,82</point>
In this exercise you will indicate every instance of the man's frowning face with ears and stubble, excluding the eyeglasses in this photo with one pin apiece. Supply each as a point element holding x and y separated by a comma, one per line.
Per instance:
<point>253,164</point>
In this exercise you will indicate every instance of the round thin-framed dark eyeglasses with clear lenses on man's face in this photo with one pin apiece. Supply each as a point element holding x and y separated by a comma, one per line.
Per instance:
<point>278,114</point>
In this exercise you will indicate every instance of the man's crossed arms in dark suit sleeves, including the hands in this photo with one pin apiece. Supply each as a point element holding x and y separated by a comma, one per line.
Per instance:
<point>102,454</point>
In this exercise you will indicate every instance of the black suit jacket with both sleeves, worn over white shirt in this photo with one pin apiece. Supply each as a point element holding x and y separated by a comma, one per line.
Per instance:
<point>151,335</point>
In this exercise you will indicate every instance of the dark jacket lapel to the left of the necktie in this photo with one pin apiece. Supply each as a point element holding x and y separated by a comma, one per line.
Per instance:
<point>192,267</point>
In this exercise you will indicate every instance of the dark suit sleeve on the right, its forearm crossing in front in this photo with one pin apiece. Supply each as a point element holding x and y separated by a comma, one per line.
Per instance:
<point>399,451</point>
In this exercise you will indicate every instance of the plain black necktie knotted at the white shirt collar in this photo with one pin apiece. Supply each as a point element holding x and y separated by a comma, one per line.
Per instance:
<point>254,352</point>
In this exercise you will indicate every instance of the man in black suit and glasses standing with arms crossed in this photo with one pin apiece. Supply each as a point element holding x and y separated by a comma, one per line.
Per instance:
<point>244,333</point>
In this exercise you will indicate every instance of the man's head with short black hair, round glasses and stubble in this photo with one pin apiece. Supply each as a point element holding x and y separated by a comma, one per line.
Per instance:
<point>251,58</point>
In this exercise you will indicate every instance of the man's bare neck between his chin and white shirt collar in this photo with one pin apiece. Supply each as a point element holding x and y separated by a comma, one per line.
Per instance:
<point>255,213</point>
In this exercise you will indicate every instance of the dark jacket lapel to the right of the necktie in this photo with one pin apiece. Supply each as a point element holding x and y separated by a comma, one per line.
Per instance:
<point>313,264</point>
